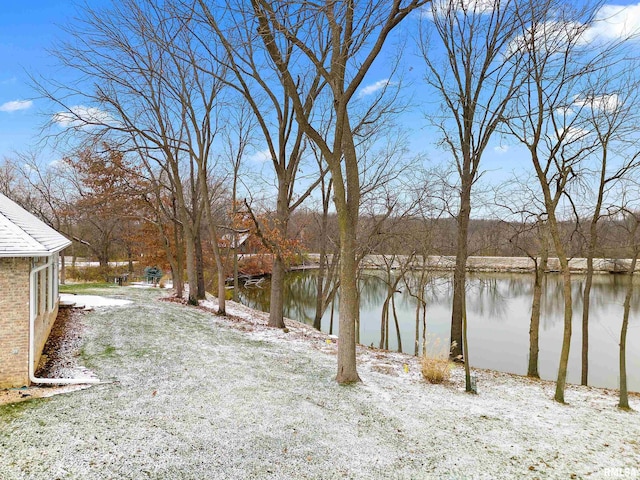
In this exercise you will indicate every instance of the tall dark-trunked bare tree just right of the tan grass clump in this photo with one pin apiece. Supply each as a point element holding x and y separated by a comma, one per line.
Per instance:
<point>475,81</point>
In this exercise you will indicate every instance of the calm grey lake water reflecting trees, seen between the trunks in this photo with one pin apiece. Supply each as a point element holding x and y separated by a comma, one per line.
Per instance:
<point>498,311</point>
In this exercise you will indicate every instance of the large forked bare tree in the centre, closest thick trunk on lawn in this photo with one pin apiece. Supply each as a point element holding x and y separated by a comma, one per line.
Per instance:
<point>328,37</point>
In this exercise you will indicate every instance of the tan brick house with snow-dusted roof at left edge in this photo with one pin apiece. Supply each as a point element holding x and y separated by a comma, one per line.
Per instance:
<point>29,251</point>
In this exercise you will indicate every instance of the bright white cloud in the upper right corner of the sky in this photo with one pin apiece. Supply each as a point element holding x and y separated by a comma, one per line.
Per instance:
<point>614,22</point>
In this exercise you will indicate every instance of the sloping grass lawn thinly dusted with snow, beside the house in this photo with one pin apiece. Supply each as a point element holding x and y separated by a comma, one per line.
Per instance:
<point>188,395</point>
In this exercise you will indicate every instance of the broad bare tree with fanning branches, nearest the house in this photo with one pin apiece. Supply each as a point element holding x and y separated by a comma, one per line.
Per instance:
<point>148,95</point>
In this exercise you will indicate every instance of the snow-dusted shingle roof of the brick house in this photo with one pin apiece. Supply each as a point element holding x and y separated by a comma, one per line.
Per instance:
<point>24,235</point>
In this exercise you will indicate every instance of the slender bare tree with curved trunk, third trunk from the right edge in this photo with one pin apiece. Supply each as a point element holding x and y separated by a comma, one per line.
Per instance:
<point>548,122</point>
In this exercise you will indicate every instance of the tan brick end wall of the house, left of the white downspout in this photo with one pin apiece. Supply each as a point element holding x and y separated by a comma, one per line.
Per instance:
<point>14,322</point>
